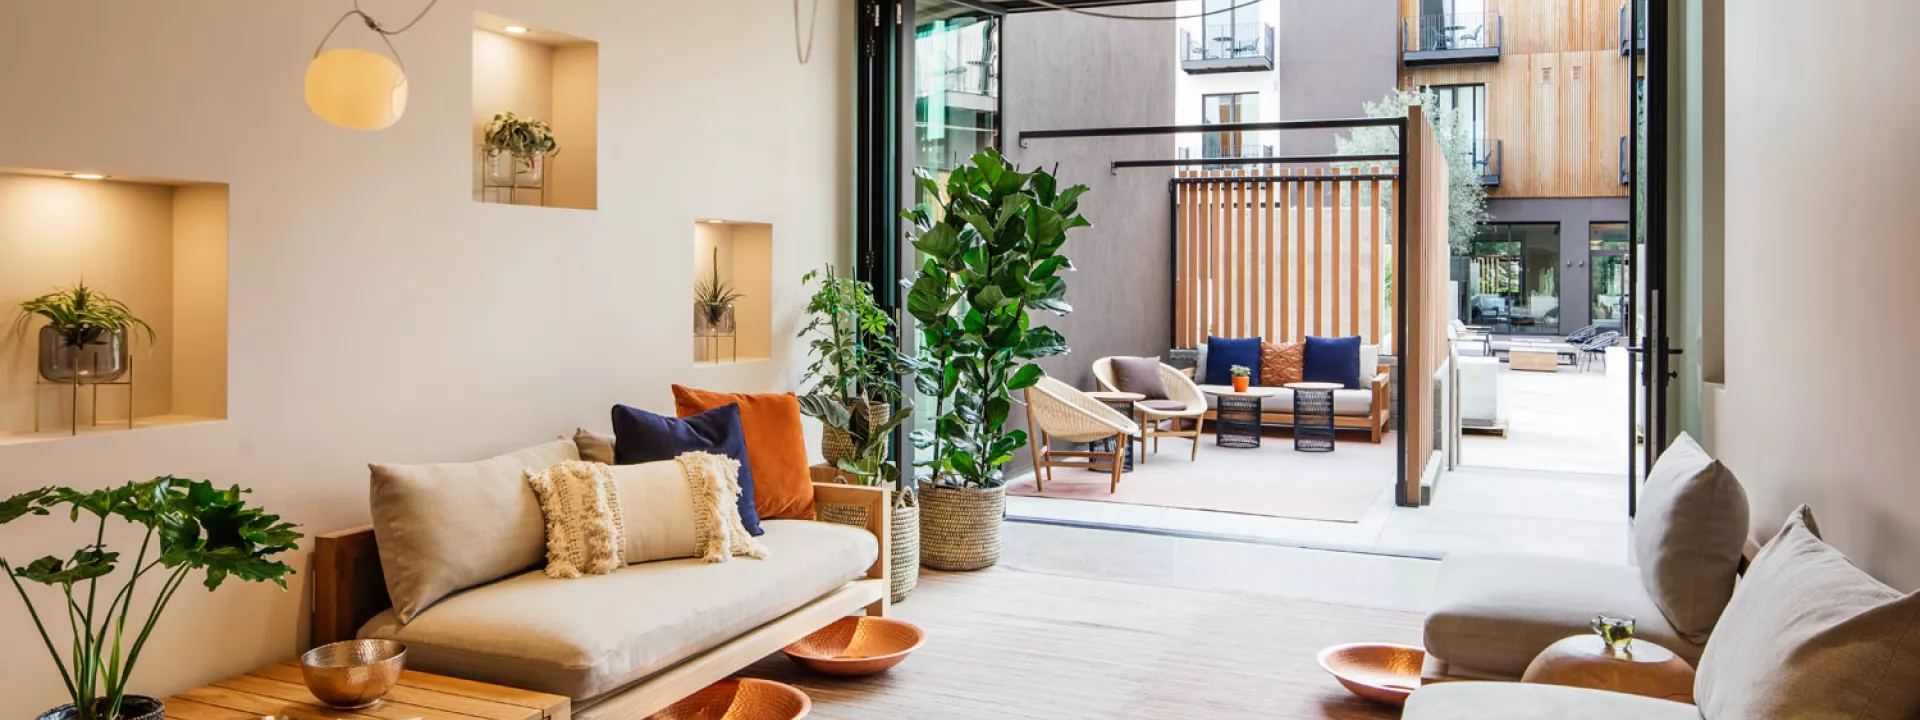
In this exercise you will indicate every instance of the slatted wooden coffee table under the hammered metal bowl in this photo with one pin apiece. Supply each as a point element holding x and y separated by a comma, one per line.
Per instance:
<point>277,690</point>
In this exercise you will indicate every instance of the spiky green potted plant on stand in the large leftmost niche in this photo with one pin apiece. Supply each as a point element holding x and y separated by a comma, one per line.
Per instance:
<point>85,335</point>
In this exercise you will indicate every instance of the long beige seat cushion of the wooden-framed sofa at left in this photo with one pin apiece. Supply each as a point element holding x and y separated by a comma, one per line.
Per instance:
<point>587,638</point>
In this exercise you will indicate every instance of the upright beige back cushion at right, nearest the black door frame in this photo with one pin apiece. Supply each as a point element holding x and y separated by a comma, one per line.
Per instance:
<point>1689,537</point>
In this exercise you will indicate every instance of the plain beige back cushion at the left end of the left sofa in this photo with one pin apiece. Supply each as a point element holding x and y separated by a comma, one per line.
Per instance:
<point>450,527</point>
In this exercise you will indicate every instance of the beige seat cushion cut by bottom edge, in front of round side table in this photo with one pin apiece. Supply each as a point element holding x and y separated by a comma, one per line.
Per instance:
<point>1522,702</point>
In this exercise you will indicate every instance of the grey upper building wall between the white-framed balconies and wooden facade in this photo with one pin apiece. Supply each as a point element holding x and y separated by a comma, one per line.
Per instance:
<point>1335,57</point>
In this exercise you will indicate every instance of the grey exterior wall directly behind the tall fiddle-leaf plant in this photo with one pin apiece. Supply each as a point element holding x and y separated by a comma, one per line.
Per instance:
<point>1070,72</point>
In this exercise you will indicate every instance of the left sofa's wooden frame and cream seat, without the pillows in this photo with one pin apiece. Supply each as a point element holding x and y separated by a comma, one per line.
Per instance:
<point>629,644</point>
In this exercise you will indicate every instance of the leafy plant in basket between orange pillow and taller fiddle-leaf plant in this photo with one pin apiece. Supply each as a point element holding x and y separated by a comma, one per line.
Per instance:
<point>855,379</point>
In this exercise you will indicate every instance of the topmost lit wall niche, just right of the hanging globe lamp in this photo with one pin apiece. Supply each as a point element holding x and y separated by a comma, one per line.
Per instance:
<point>537,76</point>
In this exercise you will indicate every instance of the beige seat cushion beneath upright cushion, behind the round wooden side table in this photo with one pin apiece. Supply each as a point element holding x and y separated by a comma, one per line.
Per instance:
<point>1495,613</point>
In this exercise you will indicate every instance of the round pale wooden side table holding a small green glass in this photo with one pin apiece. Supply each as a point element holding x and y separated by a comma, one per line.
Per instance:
<point>1587,661</point>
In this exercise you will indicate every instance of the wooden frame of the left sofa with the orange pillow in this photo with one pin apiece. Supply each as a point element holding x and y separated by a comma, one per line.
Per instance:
<point>348,590</point>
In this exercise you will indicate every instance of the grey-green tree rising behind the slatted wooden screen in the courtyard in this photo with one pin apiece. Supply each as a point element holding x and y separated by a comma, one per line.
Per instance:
<point>1466,195</point>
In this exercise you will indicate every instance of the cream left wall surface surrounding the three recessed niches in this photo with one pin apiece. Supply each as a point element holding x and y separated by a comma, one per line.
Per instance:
<point>379,314</point>
